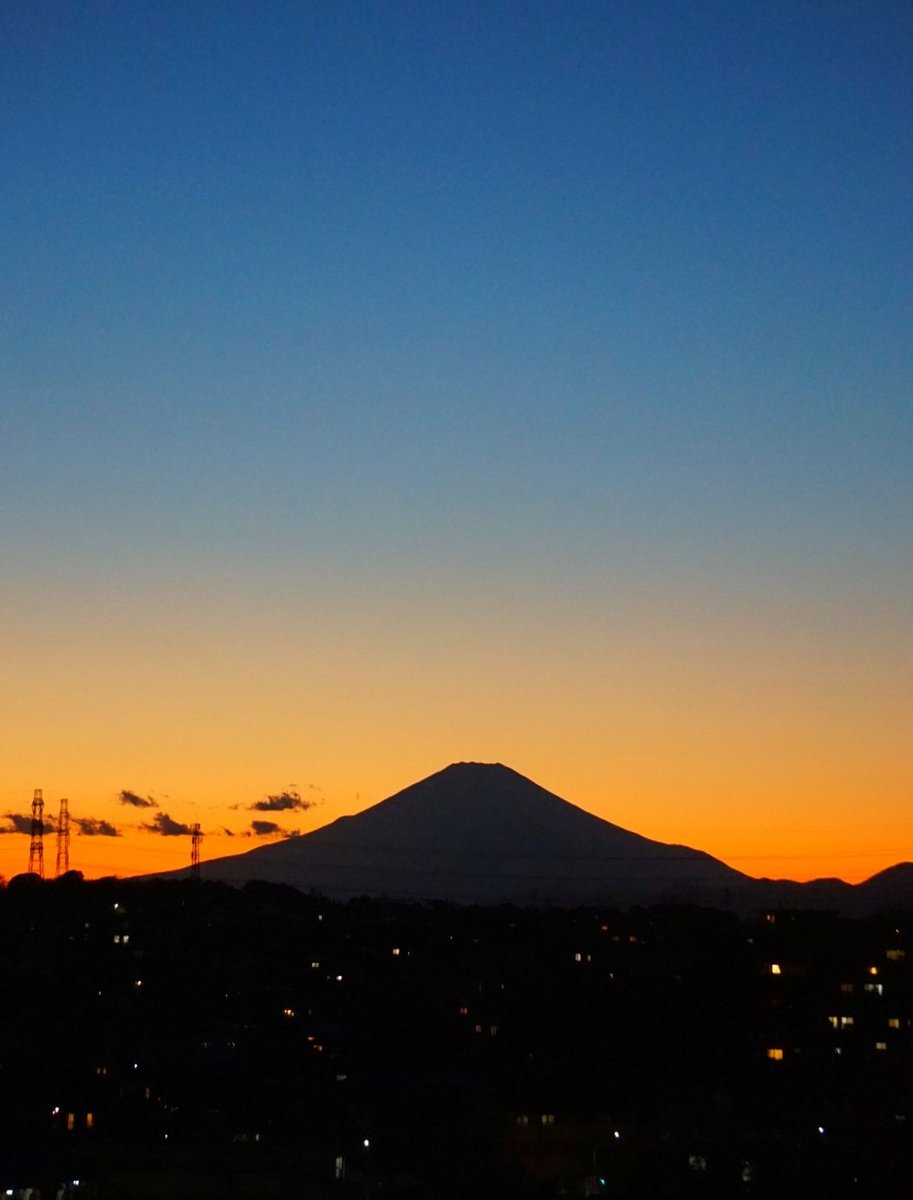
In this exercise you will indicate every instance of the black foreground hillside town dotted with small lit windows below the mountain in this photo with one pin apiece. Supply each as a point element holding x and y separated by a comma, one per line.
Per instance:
<point>195,1042</point>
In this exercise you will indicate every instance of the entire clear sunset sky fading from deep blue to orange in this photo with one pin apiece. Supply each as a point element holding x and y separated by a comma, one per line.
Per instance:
<point>389,385</point>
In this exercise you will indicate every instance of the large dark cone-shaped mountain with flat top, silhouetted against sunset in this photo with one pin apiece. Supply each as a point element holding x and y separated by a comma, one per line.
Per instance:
<point>484,833</point>
